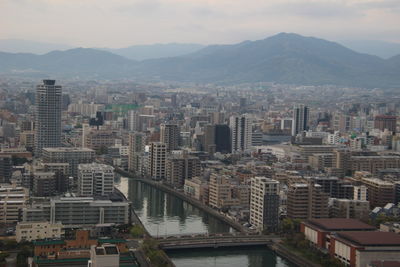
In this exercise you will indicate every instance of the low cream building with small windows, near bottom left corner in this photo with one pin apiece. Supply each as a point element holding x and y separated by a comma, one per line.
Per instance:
<point>38,230</point>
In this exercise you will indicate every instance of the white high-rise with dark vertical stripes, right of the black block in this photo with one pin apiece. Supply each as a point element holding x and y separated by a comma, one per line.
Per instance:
<point>241,132</point>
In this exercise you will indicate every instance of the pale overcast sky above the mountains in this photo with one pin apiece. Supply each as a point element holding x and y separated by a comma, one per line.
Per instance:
<point>119,23</point>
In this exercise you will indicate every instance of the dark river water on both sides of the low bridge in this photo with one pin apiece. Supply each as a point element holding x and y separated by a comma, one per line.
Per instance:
<point>165,214</point>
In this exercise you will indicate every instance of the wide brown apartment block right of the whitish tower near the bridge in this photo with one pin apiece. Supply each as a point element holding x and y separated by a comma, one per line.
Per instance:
<point>306,201</point>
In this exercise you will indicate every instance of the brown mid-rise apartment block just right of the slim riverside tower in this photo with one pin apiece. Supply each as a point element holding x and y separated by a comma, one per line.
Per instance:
<point>180,167</point>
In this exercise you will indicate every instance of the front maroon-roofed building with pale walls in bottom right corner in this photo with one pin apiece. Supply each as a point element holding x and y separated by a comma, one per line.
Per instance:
<point>361,248</point>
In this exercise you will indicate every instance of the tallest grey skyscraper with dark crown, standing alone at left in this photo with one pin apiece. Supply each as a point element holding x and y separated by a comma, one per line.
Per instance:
<point>47,116</point>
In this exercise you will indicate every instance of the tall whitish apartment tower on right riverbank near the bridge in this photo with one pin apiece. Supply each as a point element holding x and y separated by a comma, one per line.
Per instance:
<point>264,203</point>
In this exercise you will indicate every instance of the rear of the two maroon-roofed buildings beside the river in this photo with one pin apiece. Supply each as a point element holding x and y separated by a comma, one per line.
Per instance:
<point>318,231</point>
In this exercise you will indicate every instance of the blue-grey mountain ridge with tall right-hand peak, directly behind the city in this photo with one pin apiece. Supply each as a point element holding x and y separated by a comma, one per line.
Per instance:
<point>282,58</point>
